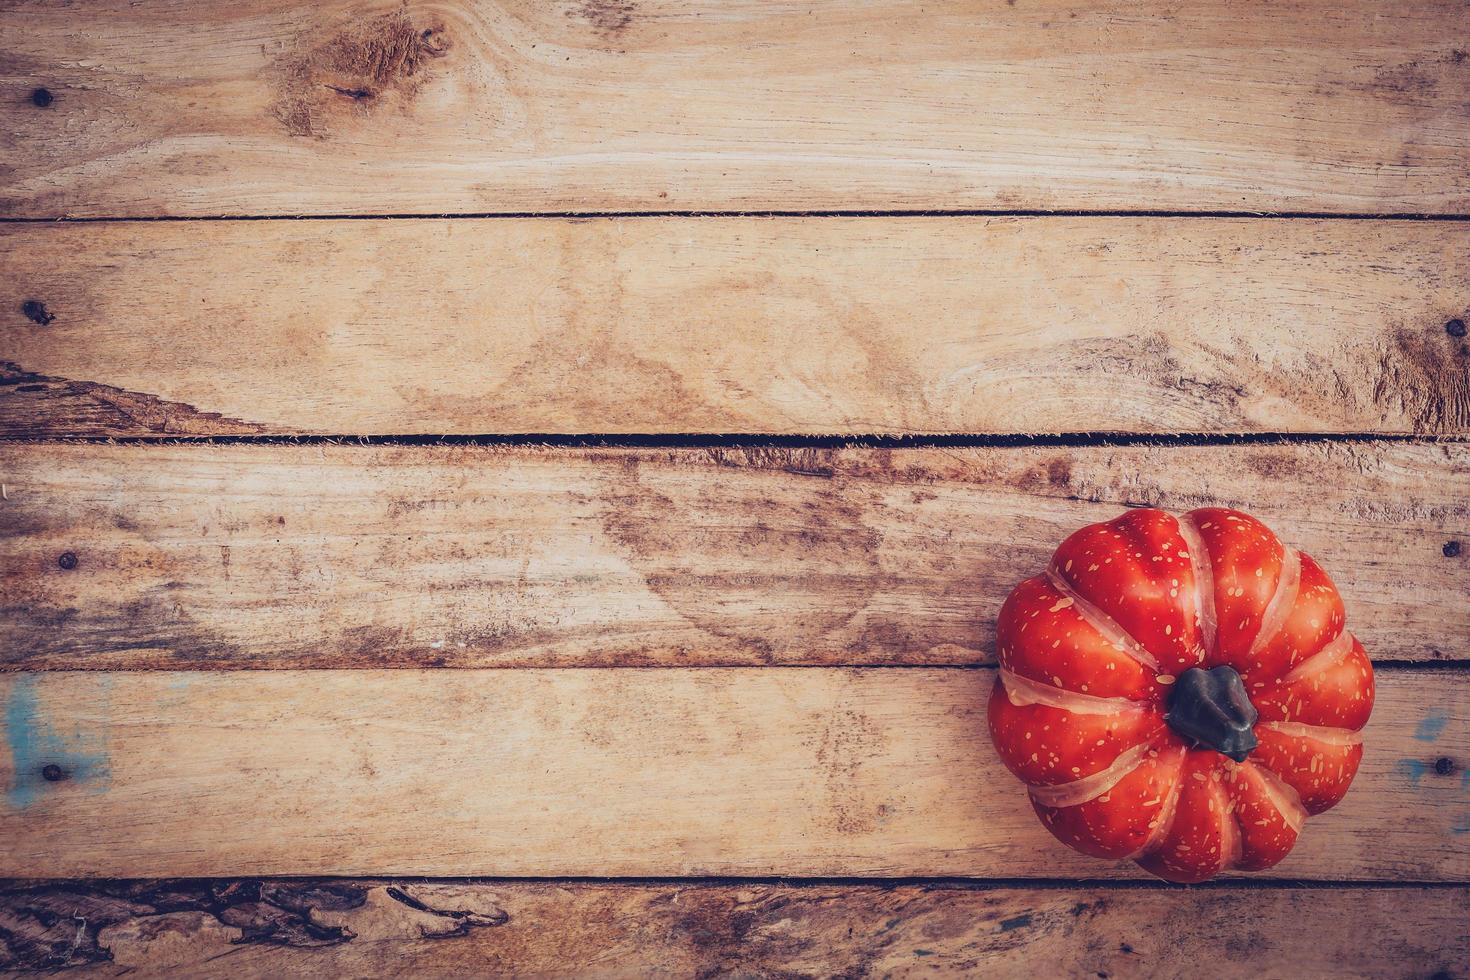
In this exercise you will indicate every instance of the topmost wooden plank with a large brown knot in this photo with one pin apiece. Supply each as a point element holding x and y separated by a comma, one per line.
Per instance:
<point>286,107</point>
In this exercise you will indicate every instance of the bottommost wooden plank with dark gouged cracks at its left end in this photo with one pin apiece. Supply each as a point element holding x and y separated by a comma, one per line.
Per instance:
<point>439,929</point>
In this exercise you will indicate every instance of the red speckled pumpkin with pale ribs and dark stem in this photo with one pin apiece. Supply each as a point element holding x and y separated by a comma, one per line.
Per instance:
<point>1180,691</point>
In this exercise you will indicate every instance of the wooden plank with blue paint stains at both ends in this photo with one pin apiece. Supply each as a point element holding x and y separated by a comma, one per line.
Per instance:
<point>621,772</point>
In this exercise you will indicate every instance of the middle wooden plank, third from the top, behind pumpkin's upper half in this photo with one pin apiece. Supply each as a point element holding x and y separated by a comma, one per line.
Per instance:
<point>342,556</point>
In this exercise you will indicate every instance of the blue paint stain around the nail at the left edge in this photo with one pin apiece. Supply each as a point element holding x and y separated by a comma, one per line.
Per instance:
<point>35,744</point>
